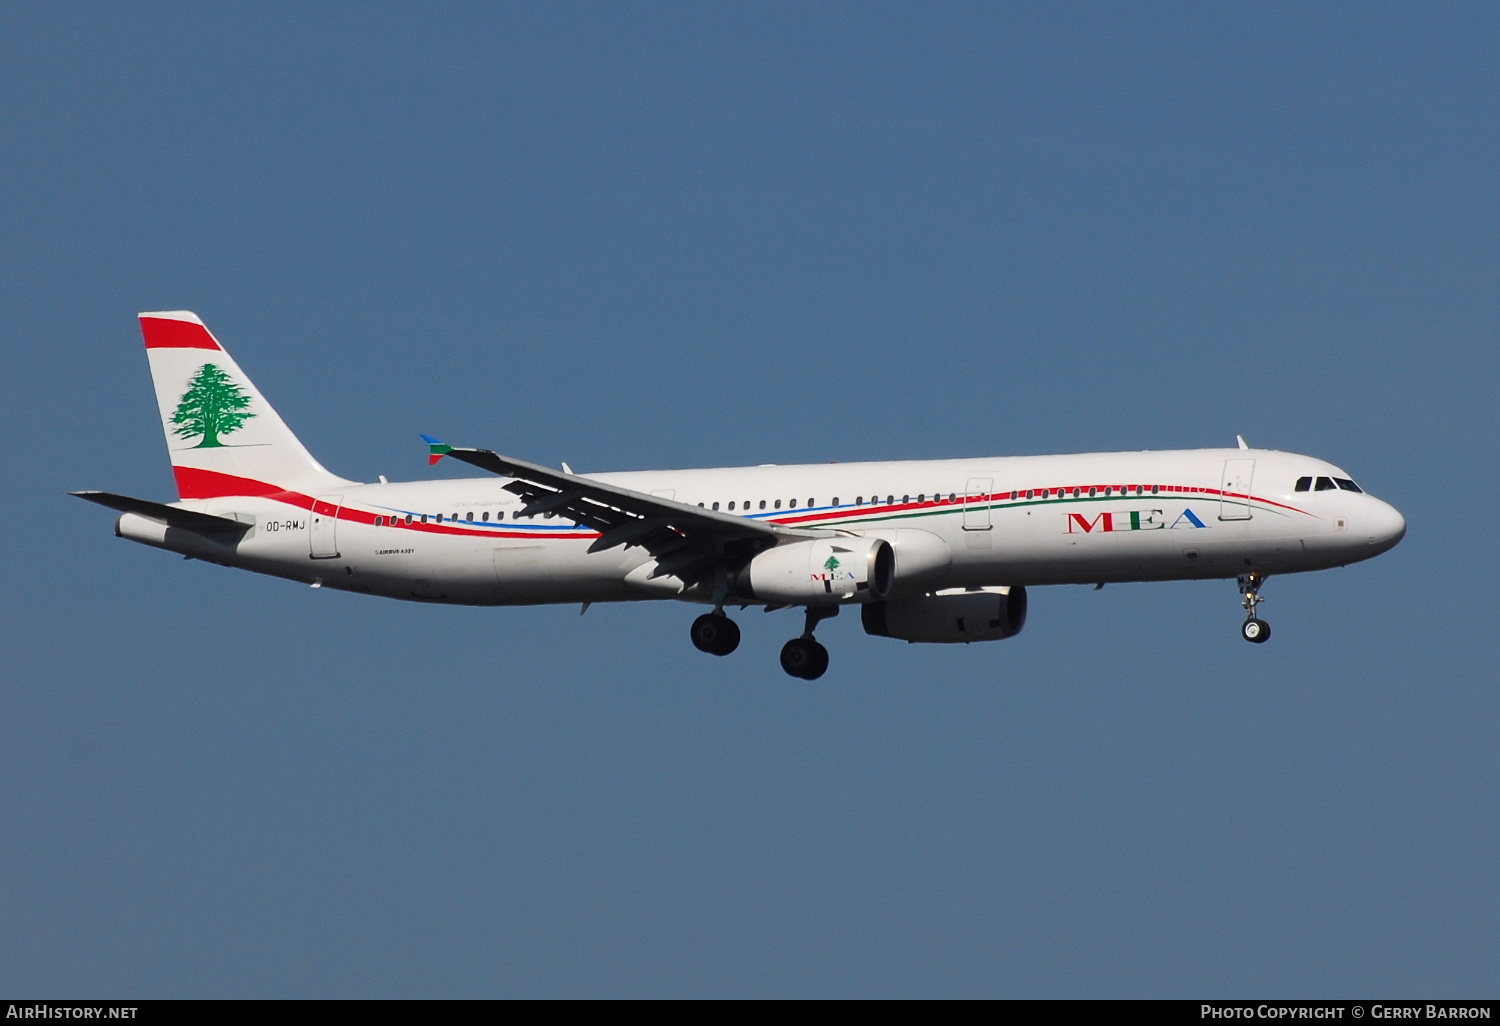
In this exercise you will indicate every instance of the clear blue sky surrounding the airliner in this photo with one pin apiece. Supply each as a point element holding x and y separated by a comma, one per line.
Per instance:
<point>637,236</point>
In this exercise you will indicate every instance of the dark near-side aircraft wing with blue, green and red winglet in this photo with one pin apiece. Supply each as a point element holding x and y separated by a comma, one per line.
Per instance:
<point>688,542</point>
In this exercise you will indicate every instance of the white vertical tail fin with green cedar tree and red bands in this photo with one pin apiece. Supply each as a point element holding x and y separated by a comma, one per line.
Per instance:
<point>223,437</point>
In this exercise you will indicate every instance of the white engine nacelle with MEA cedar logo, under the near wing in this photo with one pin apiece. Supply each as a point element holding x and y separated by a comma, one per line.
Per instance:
<point>821,572</point>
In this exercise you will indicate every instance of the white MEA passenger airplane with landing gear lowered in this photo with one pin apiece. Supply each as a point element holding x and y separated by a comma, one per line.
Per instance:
<point>929,551</point>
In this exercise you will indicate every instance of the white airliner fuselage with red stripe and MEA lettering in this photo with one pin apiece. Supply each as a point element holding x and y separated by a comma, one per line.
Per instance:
<point>1087,518</point>
